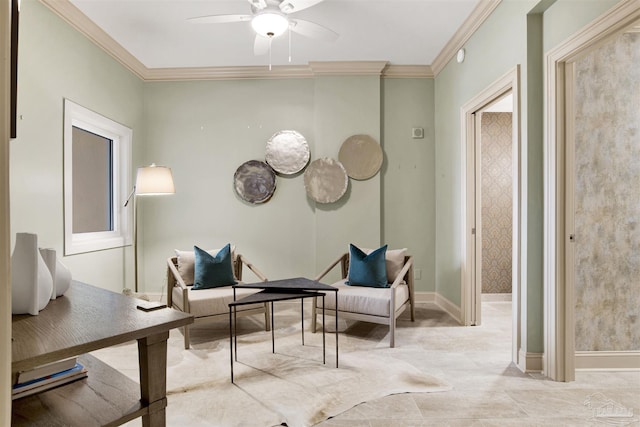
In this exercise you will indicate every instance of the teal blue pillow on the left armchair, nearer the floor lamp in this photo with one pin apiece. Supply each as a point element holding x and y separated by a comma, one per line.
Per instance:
<point>213,271</point>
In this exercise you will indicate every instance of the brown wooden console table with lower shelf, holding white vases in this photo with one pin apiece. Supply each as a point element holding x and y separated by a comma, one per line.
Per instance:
<point>85,319</point>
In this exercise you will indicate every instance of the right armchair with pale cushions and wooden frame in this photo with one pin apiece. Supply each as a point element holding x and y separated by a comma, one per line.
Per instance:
<point>380,302</point>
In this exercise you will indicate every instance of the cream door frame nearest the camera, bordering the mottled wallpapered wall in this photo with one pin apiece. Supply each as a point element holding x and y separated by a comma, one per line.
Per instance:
<point>559,306</point>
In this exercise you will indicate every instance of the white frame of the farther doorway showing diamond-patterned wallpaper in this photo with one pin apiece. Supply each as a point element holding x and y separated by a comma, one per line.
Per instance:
<point>470,293</point>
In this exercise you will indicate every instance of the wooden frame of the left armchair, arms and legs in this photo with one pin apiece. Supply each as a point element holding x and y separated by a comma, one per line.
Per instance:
<point>174,279</point>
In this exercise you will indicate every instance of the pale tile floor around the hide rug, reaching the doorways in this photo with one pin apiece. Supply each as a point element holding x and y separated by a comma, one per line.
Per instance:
<point>488,390</point>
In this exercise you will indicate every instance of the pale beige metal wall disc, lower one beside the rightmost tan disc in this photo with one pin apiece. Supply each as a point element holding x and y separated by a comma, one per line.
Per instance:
<point>326,180</point>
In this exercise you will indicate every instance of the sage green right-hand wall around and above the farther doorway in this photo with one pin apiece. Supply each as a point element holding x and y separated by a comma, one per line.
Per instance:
<point>495,49</point>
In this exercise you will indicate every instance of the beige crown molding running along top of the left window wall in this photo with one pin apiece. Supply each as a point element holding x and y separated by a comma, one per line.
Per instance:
<point>78,20</point>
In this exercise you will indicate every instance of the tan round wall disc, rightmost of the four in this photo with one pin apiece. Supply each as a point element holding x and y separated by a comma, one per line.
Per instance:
<point>361,156</point>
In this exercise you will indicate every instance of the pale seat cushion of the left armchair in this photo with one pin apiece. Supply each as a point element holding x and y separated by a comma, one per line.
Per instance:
<point>211,302</point>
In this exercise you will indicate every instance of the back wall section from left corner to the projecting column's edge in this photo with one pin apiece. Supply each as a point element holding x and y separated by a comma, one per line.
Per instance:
<point>204,131</point>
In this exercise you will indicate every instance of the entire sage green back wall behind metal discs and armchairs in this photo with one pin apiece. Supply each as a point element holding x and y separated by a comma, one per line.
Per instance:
<point>205,130</point>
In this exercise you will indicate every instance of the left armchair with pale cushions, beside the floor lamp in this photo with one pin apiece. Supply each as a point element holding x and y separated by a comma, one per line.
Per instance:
<point>210,303</point>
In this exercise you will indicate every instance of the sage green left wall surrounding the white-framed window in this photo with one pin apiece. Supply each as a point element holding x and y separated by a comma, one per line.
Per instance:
<point>56,62</point>
